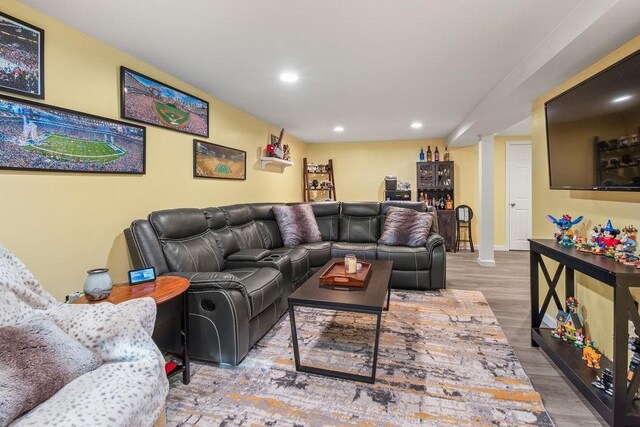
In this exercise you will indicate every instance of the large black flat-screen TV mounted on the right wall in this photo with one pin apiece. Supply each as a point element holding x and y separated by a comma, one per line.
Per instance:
<point>593,131</point>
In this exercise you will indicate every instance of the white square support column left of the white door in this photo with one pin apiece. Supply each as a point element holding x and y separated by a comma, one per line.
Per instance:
<point>485,202</point>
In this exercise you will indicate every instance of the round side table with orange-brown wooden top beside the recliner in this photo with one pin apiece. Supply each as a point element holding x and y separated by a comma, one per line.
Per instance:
<point>163,290</point>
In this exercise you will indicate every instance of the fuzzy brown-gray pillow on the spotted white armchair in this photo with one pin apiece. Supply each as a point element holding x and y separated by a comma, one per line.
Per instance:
<point>38,359</point>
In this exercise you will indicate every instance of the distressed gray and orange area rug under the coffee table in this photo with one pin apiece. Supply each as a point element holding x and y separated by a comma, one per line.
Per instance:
<point>443,360</point>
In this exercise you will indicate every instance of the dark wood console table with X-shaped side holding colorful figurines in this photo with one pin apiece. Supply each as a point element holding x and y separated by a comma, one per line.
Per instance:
<point>620,409</point>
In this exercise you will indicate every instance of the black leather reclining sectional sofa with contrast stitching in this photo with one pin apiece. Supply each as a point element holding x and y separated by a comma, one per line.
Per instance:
<point>241,274</point>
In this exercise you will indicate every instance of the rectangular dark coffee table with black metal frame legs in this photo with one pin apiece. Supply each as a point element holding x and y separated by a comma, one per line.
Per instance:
<point>370,300</point>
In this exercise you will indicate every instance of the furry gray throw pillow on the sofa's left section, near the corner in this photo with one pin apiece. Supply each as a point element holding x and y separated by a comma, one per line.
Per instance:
<point>297,224</point>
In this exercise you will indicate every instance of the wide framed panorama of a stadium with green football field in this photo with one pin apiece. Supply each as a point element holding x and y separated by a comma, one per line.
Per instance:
<point>35,136</point>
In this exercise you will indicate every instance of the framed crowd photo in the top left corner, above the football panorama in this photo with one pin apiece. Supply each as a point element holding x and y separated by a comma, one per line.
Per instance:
<point>21,57</point>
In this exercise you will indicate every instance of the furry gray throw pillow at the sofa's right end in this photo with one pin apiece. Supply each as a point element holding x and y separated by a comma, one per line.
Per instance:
<point>406,227</point>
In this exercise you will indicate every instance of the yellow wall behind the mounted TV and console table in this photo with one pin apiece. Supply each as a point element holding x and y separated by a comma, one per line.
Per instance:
<point>596,207</point>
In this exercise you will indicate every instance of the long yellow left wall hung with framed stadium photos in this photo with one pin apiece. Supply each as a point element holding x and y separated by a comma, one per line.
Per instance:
<point>62,224</point>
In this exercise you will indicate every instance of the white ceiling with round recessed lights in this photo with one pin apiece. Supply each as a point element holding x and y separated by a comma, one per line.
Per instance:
<point>371,66</point>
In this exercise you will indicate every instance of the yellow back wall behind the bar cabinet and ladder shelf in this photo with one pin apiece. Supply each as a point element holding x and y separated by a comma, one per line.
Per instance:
<point>360,168</point>
